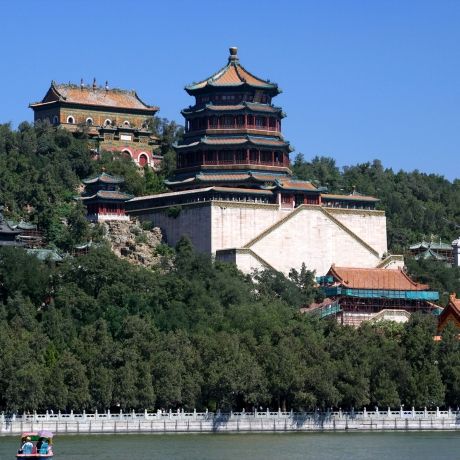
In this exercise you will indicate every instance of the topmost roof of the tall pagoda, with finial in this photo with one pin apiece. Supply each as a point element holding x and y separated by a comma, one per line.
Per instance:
<point>233,75</point>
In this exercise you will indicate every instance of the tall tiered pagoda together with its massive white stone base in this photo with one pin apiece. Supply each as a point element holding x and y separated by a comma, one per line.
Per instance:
<point>233,193</point>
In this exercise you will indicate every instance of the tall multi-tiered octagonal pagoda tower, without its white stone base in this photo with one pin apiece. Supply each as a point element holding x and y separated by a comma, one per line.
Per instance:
<point>233,138</point>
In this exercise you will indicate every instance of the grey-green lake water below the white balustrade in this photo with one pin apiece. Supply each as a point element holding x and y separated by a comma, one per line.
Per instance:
<point>264,446</point>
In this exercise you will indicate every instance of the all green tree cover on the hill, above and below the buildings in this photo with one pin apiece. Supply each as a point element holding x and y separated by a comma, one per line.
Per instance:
<point>96,332</point>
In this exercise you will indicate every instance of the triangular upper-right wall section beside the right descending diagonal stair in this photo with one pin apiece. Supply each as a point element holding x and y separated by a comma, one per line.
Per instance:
<point>368,225</point>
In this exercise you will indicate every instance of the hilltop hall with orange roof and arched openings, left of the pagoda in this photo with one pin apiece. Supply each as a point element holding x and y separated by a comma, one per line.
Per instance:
<point>115,120</point>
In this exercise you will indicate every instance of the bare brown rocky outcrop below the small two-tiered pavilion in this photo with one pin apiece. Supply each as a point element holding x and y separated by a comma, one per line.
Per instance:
<point>130,241</point>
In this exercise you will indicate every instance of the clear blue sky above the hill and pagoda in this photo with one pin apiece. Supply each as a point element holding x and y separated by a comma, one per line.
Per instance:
<point>360,79</point>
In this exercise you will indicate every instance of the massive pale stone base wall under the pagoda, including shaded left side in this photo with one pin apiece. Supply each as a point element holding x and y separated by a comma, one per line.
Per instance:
<point>283,239</point>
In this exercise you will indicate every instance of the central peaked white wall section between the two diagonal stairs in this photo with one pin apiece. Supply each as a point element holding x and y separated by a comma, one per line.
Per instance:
<point>311,237</point>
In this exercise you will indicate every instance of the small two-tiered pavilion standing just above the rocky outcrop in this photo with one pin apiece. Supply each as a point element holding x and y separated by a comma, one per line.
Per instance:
<point>103,199</point>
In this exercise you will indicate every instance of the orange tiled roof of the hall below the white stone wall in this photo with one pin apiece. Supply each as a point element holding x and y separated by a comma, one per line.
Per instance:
<point>375,278</point>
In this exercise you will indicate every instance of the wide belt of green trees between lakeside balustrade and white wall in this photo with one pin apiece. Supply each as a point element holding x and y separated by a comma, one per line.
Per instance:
<point>96,332</point>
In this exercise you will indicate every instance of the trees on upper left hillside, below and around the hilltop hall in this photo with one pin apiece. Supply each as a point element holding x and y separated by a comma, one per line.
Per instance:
<point>41,168</point>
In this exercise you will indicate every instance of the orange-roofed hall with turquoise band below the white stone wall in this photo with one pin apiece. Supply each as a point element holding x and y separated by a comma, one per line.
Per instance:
<point>354,295</point>
